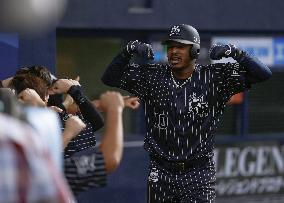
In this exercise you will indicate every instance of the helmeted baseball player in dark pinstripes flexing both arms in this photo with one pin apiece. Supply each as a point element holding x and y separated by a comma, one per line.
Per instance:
<point>183,104</point>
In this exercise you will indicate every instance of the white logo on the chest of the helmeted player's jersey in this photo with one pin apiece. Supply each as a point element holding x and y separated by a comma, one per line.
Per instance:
<point>198,106</point>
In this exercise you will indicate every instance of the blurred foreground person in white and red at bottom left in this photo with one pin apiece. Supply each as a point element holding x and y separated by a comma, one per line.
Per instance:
<point>28,171</point>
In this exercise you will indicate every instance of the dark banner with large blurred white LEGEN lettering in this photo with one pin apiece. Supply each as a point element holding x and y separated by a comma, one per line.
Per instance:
<point>250,169</point>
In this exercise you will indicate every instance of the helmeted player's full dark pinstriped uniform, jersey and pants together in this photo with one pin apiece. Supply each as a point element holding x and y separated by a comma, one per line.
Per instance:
<point>181,119</point>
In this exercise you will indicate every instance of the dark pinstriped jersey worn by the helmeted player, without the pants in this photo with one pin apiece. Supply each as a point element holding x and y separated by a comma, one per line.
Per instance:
<point>181,116</point>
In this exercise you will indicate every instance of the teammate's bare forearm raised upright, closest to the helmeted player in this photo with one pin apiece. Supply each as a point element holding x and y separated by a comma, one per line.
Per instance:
<point>112,141</point>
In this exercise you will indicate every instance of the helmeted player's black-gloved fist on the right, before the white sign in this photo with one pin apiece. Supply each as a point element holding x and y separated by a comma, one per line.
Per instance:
<point>219,51</point>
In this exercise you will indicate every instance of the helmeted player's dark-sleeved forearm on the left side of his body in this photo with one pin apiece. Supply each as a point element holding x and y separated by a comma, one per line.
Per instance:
<point>114,71</point>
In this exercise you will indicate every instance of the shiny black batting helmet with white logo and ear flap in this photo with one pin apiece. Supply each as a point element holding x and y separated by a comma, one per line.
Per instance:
<point>185,34</point>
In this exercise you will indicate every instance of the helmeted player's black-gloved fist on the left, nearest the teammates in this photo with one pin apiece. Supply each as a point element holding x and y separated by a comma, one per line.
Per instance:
<point>140,49</point>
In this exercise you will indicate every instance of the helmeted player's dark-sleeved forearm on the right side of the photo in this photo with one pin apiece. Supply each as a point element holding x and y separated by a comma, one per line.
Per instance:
<point>258,71</point>
